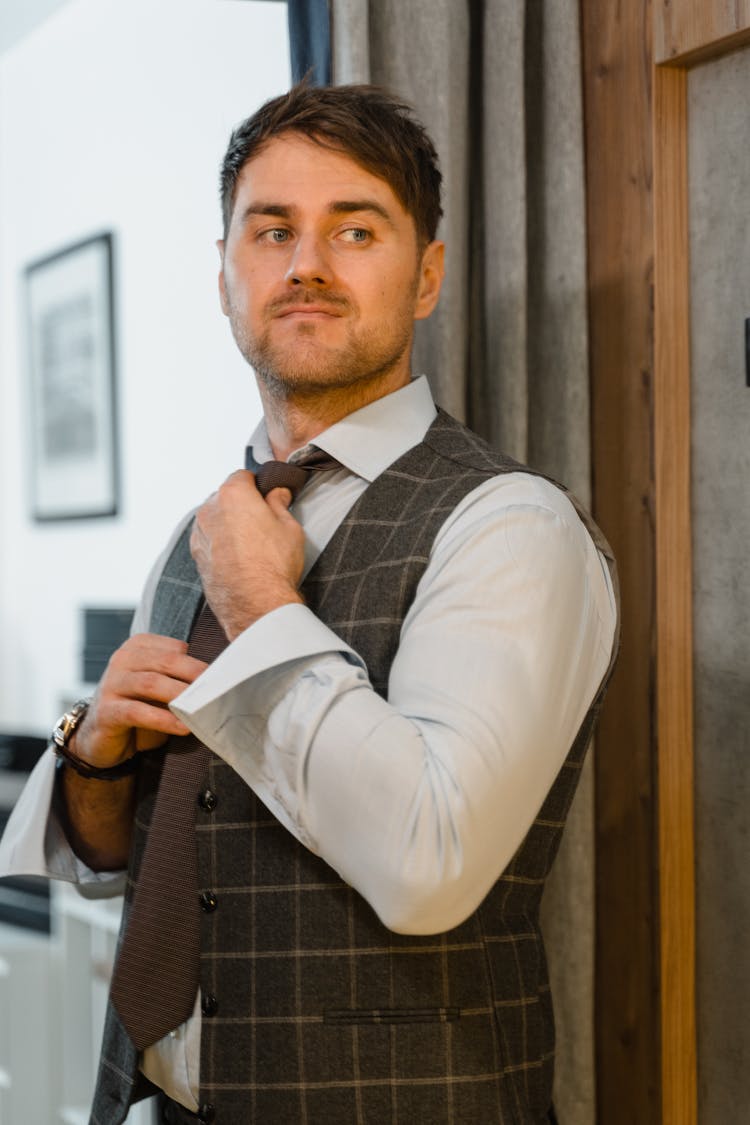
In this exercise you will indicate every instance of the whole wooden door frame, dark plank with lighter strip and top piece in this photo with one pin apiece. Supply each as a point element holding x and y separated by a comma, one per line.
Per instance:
<point>637,57</point>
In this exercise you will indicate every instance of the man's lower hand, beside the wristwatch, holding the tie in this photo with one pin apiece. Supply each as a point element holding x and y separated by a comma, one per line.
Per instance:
<point>130,710</point>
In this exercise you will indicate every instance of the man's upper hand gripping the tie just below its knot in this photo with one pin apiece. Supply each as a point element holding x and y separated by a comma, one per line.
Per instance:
<point>249,551</point>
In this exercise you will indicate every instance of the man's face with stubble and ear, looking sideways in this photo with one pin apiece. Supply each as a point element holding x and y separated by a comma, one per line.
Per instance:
<point>322,277</point>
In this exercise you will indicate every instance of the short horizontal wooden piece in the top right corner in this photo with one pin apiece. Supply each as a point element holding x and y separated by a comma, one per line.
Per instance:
<point>684,29</point>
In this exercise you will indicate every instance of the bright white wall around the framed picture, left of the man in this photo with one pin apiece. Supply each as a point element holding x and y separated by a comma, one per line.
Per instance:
<point>115,115</point>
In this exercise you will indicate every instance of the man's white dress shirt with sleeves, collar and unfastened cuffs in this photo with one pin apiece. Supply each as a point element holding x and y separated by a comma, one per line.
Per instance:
<point>419,802</point>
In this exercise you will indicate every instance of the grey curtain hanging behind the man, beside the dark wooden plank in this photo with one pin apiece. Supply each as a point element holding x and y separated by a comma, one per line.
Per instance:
<point>499,85</point>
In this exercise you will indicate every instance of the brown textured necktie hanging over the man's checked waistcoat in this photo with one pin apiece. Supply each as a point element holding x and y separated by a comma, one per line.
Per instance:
<point>157,974</point>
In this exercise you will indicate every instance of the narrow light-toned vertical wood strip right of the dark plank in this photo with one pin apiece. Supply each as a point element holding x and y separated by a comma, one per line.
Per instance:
<point>674,598</point>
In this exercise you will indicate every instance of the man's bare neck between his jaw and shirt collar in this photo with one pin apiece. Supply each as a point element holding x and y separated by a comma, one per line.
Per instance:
<point>297,419</point>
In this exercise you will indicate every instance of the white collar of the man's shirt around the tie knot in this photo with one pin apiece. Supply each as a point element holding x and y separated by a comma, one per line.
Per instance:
<point>371,439</point>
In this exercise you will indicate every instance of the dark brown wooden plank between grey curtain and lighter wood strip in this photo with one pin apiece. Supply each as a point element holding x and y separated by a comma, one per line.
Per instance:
<point>618,102</point>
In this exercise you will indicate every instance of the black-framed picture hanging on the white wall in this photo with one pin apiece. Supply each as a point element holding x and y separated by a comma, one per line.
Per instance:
<point>71,332</point>
